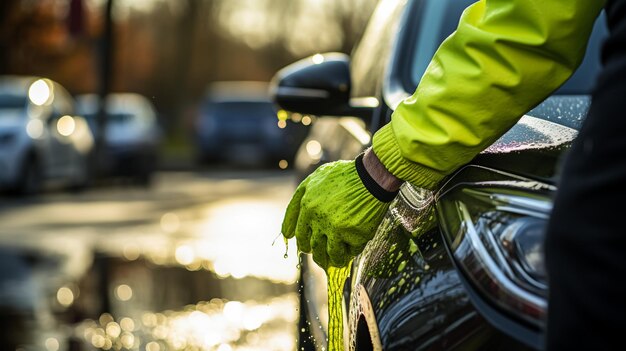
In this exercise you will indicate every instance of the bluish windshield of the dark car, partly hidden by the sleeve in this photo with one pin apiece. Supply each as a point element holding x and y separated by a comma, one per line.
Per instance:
<point>440,18</point>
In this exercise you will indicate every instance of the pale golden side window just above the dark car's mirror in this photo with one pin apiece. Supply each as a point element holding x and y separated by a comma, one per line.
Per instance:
<point>369,56</point>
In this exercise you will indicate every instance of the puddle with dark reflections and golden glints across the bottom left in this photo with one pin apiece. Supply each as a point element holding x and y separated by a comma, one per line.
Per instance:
<point>117,303</point>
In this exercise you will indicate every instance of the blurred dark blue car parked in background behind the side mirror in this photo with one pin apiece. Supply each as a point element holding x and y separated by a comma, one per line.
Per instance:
<point>238,125</point>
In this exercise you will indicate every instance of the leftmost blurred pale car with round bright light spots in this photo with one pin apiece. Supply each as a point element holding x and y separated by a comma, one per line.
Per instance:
<point>42,140</point>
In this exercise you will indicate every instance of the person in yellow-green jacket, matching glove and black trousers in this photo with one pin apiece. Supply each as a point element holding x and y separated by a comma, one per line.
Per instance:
<point>505,57</point>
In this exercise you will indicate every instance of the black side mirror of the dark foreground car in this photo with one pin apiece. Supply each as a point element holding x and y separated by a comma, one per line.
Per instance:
<point>318,85</point>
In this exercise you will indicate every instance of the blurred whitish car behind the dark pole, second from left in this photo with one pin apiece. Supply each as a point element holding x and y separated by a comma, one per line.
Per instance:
<point>132,138</point>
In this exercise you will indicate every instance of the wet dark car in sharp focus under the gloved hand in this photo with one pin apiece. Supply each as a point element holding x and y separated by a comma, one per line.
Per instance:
<point>458,269</point>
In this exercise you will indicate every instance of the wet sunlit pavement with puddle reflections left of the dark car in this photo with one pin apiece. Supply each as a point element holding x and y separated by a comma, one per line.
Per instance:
<point>191,263</point>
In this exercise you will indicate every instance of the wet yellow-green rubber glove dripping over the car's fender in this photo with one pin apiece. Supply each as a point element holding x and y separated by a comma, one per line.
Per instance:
<point>335,211</point>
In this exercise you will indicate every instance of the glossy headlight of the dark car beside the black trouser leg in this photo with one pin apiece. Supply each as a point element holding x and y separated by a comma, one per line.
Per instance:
<point>495,231</point>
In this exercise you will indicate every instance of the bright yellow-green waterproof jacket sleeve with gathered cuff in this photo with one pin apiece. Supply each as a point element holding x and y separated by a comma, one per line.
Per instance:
<point>505,57</point>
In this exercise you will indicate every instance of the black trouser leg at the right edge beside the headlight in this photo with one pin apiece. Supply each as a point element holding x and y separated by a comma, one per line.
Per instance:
<point>586,239</point>
